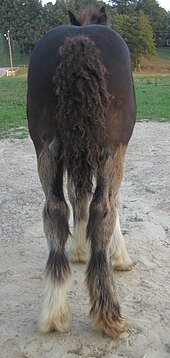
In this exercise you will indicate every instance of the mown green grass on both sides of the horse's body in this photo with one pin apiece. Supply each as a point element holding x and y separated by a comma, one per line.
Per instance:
<point>152,94</point>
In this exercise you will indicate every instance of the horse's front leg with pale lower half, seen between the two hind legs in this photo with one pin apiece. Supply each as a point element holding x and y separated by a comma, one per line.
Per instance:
<point>79,247</point>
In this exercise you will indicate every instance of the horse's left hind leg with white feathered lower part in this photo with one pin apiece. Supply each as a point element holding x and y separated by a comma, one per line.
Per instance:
<point>55,312</point>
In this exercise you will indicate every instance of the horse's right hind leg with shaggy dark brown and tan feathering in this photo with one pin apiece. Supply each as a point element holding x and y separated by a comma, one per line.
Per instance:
<point>105,309</point>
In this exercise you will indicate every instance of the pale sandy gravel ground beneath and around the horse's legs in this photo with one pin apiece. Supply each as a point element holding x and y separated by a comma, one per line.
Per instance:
<point>144,292</point>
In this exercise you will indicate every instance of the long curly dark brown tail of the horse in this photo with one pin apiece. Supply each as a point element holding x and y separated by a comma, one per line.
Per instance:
<point>82,99</point>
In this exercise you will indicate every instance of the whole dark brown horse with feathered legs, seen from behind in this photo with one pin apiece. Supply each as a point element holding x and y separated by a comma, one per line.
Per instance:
<point>81,114</point>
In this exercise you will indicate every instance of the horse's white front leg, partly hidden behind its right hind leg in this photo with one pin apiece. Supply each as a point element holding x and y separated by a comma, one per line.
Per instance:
<point>119,256</point>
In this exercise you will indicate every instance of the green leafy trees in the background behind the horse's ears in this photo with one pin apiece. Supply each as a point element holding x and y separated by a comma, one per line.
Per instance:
<point>142,23</point>
